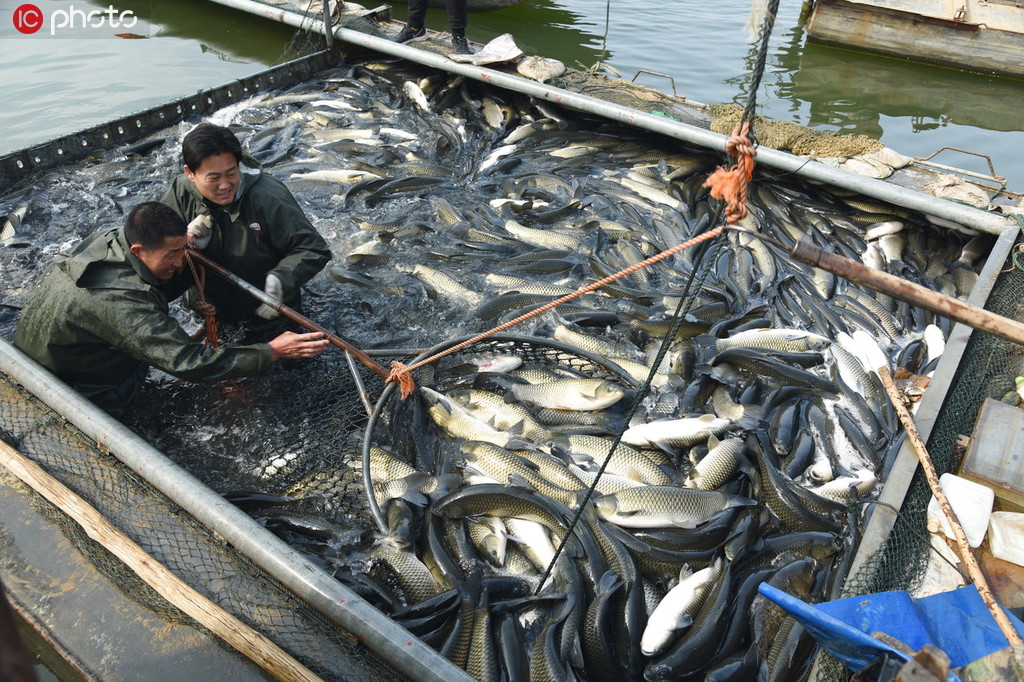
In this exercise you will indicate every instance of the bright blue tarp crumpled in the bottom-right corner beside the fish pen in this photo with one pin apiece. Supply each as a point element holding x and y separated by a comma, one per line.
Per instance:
<point>956,622</point>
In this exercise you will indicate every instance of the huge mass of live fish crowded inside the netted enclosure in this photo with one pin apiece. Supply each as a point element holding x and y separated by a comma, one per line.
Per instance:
<point>452,208</point>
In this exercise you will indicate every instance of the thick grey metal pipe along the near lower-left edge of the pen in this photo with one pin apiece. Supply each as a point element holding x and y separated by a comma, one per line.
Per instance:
<point>380,634</point>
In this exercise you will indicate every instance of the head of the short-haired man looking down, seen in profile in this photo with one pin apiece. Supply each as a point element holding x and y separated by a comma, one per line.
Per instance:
<point>156,235</point>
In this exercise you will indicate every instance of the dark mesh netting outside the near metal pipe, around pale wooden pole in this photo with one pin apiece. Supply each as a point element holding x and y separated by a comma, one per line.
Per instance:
<point>176,540</point>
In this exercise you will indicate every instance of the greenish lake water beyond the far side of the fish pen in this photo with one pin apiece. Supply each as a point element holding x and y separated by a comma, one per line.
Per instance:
<point>54,87</point>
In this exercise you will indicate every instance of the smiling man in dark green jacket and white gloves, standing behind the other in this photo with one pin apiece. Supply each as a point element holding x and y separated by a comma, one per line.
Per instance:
<point>247,222</point>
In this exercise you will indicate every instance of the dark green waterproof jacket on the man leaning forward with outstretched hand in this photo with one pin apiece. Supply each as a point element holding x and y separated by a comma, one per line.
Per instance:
<point>98,318</point>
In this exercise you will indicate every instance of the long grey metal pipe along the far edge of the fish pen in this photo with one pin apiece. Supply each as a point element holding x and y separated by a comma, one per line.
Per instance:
<point>803,167</point>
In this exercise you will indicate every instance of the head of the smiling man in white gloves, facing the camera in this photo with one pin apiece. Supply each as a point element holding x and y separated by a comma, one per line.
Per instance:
<point>212,155</point>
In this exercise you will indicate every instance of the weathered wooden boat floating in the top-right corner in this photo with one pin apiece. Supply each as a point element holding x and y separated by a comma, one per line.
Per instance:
<point>985,36</point>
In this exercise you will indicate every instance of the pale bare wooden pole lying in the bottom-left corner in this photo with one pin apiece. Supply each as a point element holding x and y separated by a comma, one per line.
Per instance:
<point>236,633</point>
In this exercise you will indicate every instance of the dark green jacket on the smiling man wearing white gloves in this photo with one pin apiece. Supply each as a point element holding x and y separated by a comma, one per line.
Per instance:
<point>264,231</point>
